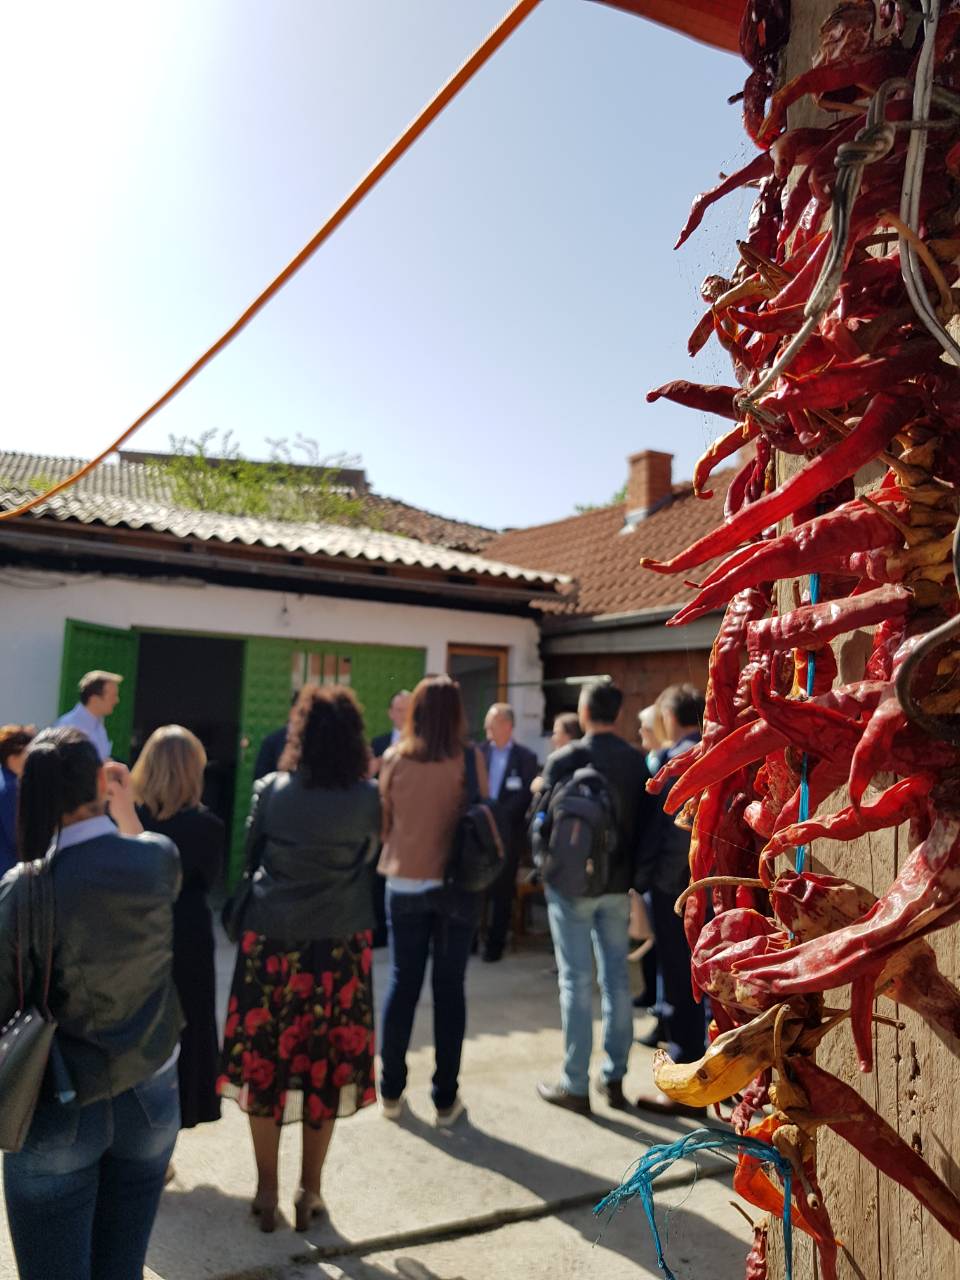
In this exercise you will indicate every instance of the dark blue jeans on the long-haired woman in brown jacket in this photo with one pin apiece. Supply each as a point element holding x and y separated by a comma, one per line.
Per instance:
<point>440,925</point>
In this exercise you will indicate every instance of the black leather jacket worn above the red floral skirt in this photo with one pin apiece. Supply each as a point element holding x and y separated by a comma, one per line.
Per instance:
<point>314,849</point>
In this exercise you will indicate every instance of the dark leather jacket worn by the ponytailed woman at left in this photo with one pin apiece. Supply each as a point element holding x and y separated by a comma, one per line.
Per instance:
<point>112,989</point>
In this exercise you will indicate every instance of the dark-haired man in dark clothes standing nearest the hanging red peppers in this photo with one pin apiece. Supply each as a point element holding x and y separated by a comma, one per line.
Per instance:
<point>664,868</point>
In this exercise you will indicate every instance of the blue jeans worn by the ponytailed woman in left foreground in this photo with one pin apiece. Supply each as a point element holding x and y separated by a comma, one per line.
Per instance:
<point>83,1194</point>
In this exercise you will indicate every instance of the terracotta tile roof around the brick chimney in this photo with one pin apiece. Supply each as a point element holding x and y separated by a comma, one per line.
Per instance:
<point>596,551</point>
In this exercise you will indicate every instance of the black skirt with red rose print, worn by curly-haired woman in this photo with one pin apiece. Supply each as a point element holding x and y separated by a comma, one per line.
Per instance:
<point>299,1040</point>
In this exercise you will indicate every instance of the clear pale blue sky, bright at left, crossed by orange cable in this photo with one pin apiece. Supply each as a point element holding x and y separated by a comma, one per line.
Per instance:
<point>483,330</point>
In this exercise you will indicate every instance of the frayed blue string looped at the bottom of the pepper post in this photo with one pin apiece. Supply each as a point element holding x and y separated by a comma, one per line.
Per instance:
<point>660,1159</point>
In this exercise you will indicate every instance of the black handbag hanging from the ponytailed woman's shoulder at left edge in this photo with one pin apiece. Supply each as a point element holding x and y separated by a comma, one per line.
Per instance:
<point>28,1039</point>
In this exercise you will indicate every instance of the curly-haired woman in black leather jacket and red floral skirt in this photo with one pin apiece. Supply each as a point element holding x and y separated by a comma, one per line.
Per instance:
<point>299,1041</point>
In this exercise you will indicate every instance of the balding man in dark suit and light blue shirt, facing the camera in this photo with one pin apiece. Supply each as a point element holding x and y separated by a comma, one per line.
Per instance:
<point>511,770</point>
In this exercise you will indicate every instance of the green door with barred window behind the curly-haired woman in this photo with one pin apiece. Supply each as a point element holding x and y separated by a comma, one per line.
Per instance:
<point>275,669</point>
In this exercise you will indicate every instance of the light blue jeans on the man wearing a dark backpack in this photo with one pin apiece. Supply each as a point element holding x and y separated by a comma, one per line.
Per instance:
<point>583,929</point>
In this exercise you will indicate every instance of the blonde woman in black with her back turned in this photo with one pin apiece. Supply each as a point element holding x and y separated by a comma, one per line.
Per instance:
<point>168,781</point>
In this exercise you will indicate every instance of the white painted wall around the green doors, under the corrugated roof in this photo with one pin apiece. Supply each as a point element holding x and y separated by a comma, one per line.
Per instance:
<point>35,605</point>
